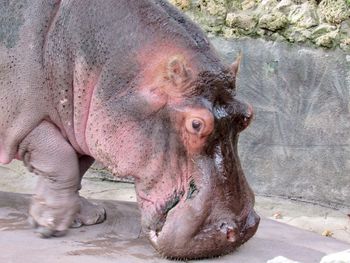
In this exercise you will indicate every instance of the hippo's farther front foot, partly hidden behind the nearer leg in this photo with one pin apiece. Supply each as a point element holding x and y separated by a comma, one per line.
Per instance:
<point>89,214</point>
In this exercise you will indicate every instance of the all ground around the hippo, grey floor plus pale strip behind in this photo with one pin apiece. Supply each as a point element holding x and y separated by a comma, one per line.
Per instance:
<point>108,241</point>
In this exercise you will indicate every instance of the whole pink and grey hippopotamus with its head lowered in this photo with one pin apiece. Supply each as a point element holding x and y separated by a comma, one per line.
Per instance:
<point>136,86</point>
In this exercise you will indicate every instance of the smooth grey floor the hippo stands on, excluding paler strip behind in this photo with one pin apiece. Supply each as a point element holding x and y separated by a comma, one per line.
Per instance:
<point>119,239</point>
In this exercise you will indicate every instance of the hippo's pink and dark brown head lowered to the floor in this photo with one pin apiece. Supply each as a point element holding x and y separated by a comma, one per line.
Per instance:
<point>176,133</point>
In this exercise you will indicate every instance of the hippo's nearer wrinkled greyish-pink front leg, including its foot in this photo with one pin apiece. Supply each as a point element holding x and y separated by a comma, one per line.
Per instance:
<point>56,202</point>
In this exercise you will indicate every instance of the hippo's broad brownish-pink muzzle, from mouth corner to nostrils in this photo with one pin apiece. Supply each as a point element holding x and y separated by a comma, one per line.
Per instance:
<point>212,217</point>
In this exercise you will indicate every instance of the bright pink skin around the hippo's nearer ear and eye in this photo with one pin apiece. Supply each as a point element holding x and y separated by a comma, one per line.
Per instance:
<point>160,84</point>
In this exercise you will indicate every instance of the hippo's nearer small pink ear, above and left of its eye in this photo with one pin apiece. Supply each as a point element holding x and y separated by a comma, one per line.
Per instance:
<point>177,71</point>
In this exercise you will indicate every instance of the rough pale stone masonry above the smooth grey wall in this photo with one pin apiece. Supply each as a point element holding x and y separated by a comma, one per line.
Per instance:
<point>324,23</point>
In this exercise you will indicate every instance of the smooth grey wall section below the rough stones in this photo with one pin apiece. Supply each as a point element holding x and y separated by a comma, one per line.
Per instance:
<point>298,145</point>
